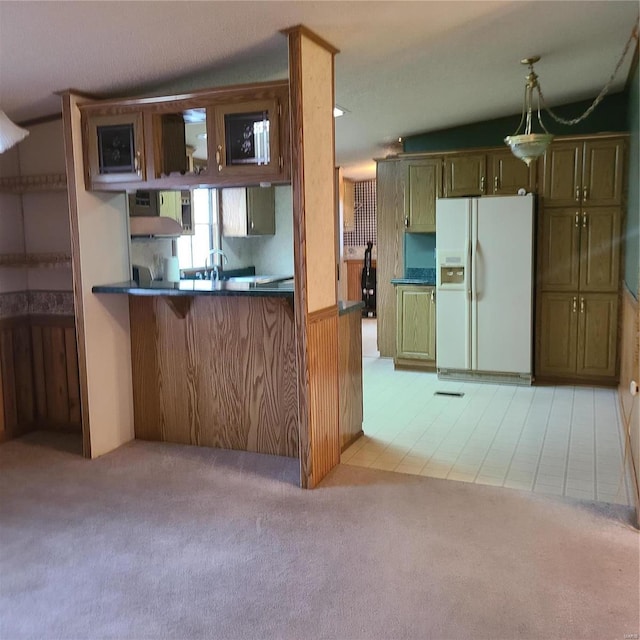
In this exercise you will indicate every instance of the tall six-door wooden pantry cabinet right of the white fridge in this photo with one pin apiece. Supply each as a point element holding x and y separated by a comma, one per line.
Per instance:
<point>580,222</point>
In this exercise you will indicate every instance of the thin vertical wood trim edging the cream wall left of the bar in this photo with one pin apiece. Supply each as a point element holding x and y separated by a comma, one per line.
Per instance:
<point>68,104</point>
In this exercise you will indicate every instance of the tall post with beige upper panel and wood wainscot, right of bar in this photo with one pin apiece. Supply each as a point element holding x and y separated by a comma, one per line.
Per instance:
<point>311,78</point>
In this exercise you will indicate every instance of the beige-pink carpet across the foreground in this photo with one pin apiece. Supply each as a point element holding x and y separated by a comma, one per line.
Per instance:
<point>167,541</point>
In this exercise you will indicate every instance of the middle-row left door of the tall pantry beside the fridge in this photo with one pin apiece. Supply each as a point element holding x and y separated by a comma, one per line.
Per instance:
<point>559,249</point>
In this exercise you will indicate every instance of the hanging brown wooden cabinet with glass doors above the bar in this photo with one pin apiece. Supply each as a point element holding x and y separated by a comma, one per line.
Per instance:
<point>221,137</point>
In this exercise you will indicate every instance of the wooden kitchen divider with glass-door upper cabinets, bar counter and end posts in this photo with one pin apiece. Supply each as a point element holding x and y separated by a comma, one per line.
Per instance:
<point>243,371</point>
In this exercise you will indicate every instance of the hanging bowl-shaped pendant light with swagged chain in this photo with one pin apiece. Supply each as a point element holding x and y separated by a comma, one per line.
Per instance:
<point>529,145</point>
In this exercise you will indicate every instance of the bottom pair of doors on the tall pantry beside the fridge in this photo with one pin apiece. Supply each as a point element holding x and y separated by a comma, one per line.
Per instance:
<point>578,336</point>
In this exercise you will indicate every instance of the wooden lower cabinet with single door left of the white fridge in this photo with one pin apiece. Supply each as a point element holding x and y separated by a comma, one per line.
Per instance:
<point>416,336</point>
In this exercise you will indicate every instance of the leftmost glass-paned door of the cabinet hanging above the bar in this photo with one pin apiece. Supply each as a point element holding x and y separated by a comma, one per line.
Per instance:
<point>114,148</point>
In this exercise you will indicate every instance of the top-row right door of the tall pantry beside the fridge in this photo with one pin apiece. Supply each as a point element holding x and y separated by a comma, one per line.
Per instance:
<point>602,173</point>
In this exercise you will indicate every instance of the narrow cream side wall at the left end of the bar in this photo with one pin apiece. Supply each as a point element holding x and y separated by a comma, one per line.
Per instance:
<point>102,229</point>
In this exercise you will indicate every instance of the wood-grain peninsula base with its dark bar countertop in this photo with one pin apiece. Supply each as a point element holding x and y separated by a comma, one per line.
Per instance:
<point>213,363</point>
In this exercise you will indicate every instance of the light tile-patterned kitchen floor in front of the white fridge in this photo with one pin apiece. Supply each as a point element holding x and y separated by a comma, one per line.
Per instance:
<point>560,440</point>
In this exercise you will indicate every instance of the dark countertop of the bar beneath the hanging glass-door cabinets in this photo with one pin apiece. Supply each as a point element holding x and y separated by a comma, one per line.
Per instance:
<point>283,289</point>
